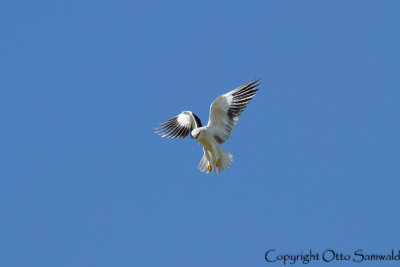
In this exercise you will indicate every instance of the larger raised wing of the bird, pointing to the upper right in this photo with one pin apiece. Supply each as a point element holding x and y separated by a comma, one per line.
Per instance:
<point>226,109</point>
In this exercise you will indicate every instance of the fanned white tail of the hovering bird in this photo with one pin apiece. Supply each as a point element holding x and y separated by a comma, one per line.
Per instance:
<point>224,161</point>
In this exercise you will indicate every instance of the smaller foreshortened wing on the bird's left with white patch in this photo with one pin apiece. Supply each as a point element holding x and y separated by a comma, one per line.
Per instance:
<point>179,126</point>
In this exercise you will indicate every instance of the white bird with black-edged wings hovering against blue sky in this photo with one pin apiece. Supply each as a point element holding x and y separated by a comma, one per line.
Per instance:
<point>224,114</point>
